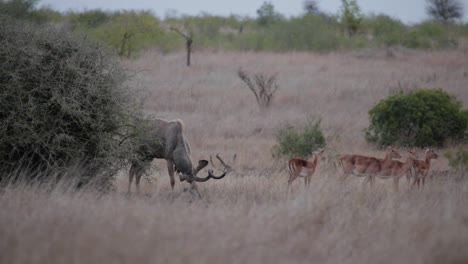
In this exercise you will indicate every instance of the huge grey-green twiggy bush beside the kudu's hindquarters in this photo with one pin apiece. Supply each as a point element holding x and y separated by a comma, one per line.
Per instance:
<point>64,103</point>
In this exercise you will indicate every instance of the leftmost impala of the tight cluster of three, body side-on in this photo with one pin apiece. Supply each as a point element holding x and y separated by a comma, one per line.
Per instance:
<point>360,166</point>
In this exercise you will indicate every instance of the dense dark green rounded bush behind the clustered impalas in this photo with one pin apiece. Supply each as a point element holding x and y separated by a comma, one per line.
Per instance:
<point>424,117</point>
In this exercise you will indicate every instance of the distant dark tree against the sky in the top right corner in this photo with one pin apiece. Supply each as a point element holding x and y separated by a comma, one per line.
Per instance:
<point>445,10</point>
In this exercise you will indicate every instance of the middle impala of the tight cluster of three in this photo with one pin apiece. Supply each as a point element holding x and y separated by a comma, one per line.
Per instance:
<point>396,169</point>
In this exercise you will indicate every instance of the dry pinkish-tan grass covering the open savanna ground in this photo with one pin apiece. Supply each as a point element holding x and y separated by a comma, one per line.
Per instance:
<point>247,217</point>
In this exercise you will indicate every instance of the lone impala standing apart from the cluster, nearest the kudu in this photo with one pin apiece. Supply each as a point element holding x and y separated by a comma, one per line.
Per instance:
<point>303,168</point>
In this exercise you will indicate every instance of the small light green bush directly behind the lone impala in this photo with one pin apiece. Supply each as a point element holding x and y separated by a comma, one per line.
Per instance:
<point>294,143</point>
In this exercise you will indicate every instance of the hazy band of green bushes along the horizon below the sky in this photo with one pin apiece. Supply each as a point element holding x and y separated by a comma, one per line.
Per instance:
<point>130,31</point>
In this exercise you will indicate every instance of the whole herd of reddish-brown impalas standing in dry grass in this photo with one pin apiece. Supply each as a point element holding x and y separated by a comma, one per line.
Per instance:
<point>370,167</point>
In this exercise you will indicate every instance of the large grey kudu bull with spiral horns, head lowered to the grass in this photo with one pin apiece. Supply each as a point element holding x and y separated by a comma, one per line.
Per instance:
<point>167,141</point>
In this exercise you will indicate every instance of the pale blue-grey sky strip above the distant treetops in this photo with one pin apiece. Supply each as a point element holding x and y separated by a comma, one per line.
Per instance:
<point>408,11</point>
